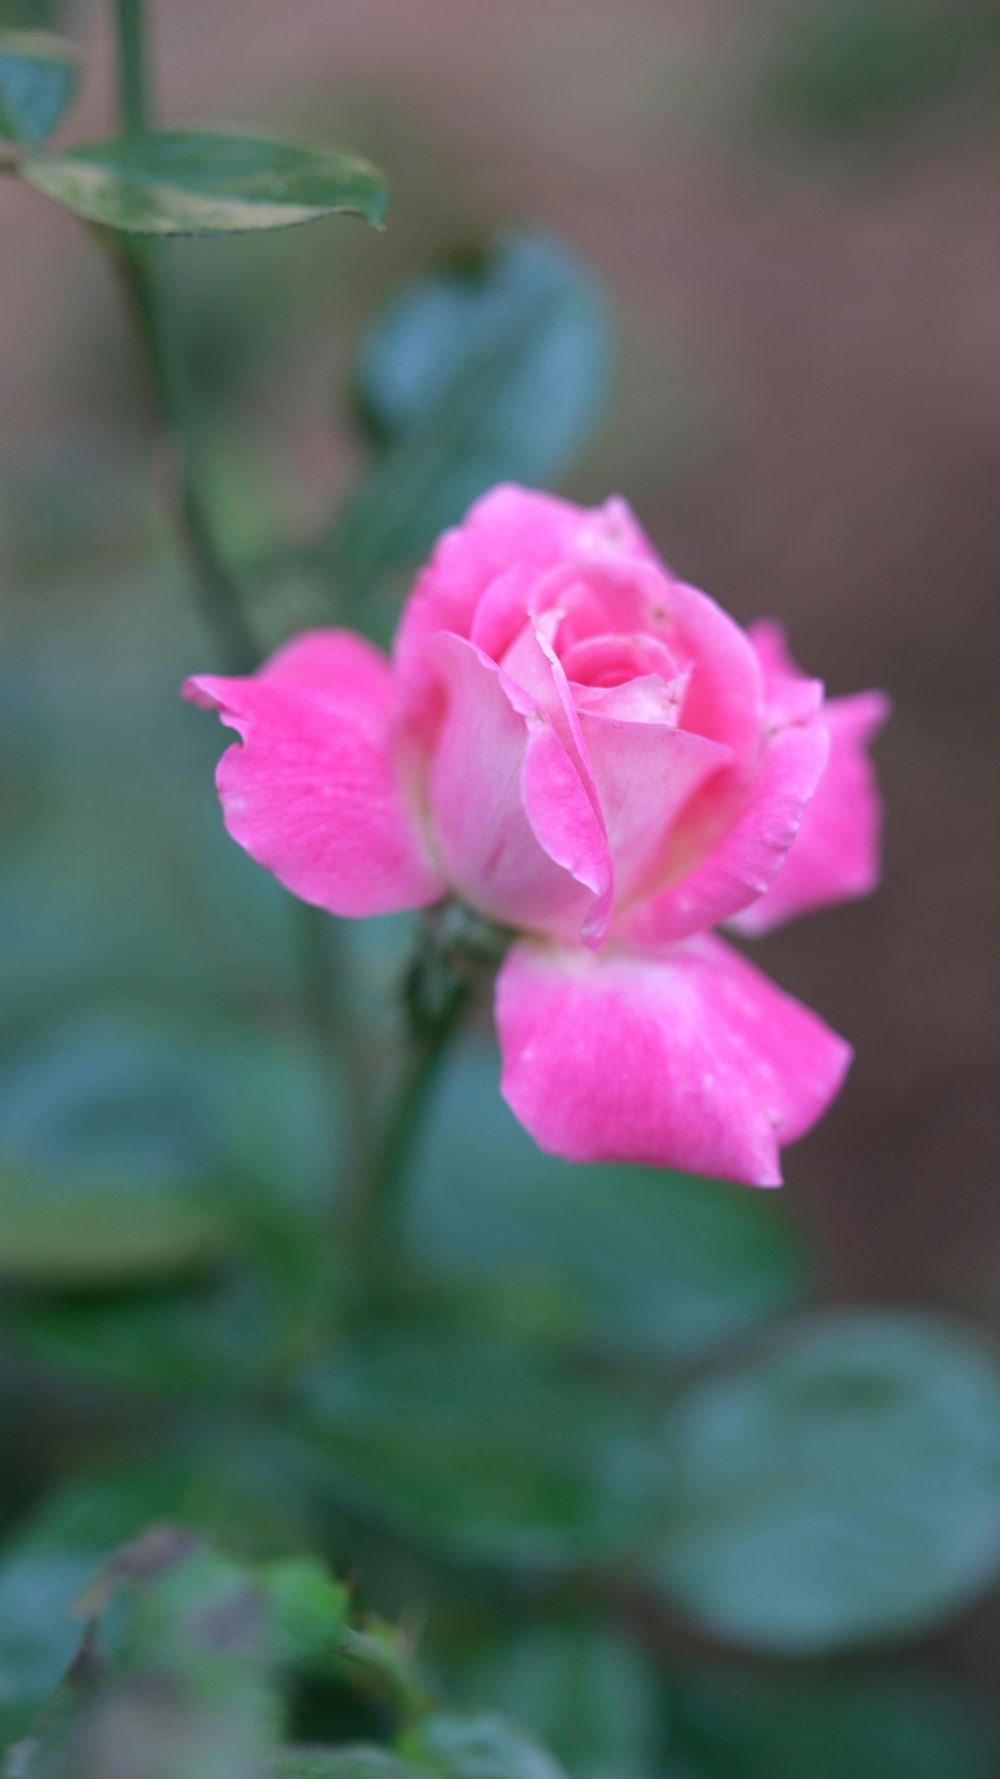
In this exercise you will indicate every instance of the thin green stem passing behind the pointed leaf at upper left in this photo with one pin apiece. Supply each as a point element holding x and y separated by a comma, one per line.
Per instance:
<point>145,277</point>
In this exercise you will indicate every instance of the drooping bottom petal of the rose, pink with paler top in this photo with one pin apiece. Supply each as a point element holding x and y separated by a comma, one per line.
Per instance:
<point>682,1058</point>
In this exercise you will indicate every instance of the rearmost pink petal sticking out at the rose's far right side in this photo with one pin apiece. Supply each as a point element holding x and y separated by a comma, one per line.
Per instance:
<point>835,855</point>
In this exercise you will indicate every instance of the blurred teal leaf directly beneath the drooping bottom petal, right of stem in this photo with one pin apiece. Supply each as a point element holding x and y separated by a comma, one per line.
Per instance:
<point>634,1262</point>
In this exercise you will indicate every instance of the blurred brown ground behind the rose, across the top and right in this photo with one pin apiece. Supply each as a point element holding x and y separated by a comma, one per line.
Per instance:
<point>830,335</point>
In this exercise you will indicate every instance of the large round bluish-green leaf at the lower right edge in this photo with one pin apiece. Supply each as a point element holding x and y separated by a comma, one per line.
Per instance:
<point>841,1490</point>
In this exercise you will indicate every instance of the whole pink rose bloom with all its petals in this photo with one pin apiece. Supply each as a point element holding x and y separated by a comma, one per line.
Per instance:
<point>595,755</point>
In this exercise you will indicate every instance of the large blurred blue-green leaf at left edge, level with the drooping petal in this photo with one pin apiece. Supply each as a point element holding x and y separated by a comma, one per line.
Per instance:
<point>136,1145</point>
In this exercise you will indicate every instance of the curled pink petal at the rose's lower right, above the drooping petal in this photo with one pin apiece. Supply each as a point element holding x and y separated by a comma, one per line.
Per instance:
<point>736,865</point>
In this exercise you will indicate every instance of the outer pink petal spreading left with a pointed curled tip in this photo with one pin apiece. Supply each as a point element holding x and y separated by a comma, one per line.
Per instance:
<point>316,793</point>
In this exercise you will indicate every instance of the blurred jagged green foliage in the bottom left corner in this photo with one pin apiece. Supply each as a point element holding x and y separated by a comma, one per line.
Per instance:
<point>186,1664</point>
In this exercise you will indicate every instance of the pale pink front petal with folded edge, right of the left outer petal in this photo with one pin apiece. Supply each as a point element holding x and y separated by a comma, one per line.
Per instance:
<point>513,819</point>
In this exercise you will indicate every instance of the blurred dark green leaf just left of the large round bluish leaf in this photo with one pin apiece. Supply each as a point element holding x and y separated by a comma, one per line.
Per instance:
<point>483,1453</point>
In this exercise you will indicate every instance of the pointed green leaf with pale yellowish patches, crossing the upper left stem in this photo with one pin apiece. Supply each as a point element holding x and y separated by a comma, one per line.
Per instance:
<point>207,182</point>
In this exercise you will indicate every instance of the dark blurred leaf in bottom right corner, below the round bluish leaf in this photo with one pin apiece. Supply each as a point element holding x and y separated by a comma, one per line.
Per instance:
<point>875,1727</point>
